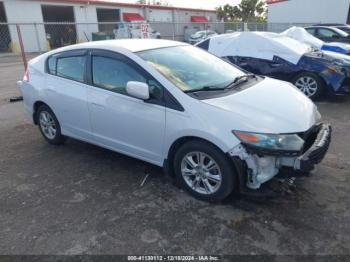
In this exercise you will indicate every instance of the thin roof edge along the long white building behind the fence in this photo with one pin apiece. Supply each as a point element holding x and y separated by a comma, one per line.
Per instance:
<point>116,3</point>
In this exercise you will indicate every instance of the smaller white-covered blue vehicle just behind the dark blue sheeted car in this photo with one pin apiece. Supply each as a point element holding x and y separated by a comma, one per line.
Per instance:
<point>300,34</point>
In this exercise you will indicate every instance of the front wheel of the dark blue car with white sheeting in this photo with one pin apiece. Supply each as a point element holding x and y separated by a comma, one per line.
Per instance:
<point>310,84</point>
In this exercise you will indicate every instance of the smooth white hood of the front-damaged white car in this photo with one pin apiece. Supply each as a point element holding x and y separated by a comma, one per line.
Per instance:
<point>270,106</point>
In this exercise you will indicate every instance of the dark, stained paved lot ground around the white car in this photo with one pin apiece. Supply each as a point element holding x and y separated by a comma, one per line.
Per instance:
<point>81,199</point>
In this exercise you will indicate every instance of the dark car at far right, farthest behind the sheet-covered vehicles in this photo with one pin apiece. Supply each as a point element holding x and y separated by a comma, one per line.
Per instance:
<point>329,34</point>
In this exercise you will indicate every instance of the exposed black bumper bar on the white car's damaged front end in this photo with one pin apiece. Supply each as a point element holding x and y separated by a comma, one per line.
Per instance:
<point>317,151</point>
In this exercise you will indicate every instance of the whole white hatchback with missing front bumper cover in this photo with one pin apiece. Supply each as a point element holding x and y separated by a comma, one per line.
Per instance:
<point>211,126</point>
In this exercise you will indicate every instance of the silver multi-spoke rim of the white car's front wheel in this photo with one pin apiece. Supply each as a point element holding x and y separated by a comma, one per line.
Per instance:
<point>201,173</point>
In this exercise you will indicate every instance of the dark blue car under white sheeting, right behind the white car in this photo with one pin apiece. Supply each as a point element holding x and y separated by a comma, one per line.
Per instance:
<point>314,72</point>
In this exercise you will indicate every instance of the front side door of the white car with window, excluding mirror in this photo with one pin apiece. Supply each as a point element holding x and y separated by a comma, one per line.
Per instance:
<point>119,121</point>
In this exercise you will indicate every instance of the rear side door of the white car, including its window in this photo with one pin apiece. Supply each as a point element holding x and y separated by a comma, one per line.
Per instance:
<point>67,94</point>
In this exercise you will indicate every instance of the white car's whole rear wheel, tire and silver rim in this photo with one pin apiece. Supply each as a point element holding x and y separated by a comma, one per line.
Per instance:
<point>49,126</point>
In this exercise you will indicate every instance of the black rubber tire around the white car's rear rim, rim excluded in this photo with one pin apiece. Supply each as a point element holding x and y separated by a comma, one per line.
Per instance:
<point>58,138</point>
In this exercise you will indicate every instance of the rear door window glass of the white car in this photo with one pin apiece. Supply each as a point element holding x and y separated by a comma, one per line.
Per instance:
<point>71,67</point>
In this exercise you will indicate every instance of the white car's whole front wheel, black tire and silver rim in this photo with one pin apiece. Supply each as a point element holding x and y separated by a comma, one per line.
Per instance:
<point>195,178</point>
